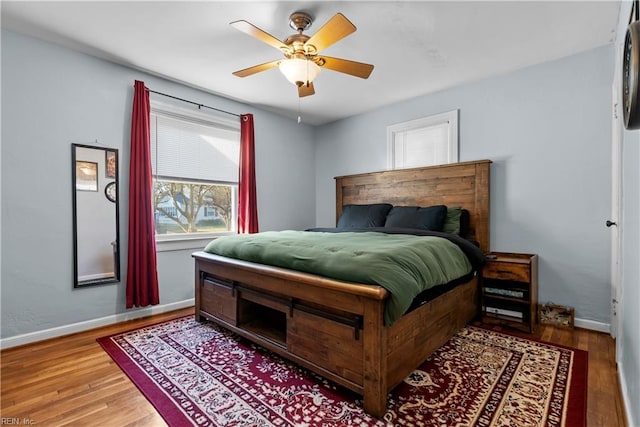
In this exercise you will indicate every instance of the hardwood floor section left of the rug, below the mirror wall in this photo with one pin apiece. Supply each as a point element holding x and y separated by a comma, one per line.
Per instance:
<point>72,381</point>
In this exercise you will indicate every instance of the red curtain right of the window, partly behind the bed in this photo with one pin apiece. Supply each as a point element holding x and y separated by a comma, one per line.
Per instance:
<point>247,205</point>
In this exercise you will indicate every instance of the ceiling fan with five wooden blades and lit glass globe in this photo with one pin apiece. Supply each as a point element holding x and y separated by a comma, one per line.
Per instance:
<point>302,62</point>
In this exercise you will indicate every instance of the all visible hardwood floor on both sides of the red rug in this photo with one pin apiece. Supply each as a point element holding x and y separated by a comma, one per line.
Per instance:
<point>72,381</point>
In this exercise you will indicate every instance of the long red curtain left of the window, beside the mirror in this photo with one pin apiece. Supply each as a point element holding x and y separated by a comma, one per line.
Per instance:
<point>142,276</point>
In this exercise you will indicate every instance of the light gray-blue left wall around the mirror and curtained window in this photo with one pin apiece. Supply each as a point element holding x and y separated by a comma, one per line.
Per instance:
<point>52,97</point>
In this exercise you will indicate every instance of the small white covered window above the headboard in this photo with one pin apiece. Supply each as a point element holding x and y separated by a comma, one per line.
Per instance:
<point>423,142</point>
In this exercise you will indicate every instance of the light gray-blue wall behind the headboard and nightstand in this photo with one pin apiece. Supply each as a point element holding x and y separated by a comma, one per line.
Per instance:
<point>547,129</point>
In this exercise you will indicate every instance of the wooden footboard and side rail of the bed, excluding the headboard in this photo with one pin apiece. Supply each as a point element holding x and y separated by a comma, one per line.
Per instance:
<point>333,328</point>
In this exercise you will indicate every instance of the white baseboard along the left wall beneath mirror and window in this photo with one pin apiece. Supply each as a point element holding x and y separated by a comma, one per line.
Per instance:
<point>59,331</point>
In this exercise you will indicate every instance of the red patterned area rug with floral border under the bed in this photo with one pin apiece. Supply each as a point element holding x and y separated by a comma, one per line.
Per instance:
<point>198,374</point>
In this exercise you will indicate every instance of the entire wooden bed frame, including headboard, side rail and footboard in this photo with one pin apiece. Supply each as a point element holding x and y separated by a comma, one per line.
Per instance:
<point>336,328</point>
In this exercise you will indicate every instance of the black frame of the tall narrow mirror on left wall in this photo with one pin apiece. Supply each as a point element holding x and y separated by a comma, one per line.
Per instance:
<point>116,277</point>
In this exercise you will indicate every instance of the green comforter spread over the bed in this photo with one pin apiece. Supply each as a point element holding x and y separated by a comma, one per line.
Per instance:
<point>403,264</point>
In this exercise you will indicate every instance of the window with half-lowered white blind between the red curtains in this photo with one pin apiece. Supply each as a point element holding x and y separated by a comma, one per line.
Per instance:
<point>195,161</point>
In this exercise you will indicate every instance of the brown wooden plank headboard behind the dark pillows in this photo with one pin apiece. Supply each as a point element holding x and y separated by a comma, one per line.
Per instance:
<point>458,184</point>
